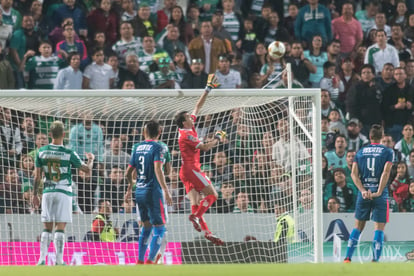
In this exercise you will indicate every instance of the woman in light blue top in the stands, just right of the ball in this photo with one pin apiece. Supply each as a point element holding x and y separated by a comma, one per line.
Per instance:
<point>317,57</point>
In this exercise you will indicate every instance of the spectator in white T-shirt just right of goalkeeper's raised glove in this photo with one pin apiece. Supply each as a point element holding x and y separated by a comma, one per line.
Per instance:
<point>228,78</point>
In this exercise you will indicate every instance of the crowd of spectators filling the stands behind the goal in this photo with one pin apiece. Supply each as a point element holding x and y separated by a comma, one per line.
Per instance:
<point>360,53</point>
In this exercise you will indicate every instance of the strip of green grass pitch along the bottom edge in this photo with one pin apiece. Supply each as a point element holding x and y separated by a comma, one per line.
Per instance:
<point>368,269</point>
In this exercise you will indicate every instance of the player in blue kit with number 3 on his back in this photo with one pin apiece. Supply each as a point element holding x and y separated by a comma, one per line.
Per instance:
<point>147,160</point>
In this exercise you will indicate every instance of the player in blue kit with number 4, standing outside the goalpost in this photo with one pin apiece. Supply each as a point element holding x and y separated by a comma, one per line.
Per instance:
<point>370,172</point>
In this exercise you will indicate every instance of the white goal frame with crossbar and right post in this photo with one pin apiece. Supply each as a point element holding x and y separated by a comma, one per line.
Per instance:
<point>316,128</point>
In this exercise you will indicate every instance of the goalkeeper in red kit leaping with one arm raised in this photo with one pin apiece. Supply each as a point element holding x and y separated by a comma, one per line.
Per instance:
<point>195,181</point>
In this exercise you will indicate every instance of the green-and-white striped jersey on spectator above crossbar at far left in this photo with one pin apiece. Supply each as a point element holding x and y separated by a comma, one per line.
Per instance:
<point>42,71</point>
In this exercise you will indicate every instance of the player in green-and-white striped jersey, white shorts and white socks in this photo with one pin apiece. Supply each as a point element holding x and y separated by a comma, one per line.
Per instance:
<point>55,162</point>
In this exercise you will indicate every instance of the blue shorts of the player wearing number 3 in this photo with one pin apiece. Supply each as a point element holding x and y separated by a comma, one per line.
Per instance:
<point>151,206</point>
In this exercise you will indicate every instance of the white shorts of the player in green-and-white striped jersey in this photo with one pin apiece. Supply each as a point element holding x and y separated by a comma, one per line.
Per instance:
<point>56,207</point>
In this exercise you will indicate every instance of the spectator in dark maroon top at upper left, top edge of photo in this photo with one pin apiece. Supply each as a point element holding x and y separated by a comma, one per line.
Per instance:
<point>104,19</point>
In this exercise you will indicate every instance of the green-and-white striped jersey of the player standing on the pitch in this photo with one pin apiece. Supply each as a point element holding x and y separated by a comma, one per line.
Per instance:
<point>56,162</point>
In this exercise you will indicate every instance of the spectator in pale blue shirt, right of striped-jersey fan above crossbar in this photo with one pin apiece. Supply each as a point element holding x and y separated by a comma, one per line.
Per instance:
<point>71,76</point>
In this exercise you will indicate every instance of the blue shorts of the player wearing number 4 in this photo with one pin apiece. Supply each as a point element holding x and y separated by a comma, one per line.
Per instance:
<point>378,207</point>
